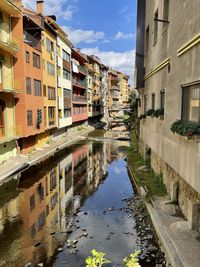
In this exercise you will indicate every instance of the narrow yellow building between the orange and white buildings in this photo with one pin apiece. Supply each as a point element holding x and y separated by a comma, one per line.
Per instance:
<point>49,74</point>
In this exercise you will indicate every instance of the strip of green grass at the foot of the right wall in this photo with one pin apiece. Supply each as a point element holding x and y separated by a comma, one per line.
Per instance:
<point>153,182</point>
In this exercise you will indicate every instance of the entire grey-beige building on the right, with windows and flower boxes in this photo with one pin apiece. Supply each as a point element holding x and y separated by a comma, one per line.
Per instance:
<point>168,79</point>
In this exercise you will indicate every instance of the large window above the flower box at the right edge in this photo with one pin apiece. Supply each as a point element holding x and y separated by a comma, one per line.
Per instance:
<point>191,103</point>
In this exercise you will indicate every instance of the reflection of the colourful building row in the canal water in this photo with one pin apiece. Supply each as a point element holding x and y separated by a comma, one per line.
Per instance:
<point>37,208</point>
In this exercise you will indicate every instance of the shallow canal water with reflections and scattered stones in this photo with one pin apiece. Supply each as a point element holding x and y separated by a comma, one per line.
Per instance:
<point>55,213</point>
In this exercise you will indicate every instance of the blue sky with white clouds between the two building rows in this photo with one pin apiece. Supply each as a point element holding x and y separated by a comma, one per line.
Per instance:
<point>105,28</point>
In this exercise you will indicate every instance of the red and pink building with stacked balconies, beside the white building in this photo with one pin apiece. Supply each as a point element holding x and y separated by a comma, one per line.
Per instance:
<point>79,83</point>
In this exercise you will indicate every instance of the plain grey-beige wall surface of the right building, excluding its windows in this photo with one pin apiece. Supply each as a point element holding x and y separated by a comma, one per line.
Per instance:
<point>181,155</point>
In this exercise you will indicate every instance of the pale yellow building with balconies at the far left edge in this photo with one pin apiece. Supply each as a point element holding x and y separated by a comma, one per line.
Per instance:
<point>10,11</point>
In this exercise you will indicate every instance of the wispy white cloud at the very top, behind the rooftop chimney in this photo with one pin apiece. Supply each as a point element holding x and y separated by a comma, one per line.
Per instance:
<point>60,8</point>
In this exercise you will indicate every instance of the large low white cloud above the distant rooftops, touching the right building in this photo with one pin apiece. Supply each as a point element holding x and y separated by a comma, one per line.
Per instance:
<point>121,61</point>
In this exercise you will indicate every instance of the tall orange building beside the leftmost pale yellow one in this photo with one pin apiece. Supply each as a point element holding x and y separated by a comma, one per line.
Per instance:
<point>29,76</point>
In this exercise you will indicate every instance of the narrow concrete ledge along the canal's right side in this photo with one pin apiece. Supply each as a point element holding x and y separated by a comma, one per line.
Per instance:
<point>167,244</point>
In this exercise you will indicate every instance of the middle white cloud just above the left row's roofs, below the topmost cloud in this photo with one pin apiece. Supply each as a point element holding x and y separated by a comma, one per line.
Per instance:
<point>77,36</point>
